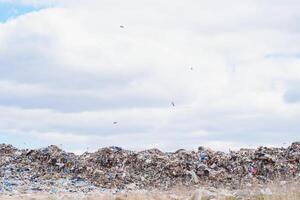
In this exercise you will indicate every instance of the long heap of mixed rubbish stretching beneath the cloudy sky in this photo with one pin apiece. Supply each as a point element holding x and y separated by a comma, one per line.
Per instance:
<point>52,169</point>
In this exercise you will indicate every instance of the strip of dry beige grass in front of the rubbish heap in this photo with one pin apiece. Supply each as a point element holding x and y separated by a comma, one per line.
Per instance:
<point>288,192</point>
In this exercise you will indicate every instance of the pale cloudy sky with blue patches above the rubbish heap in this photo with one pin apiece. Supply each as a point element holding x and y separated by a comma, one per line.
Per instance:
<point>68,71</point>
